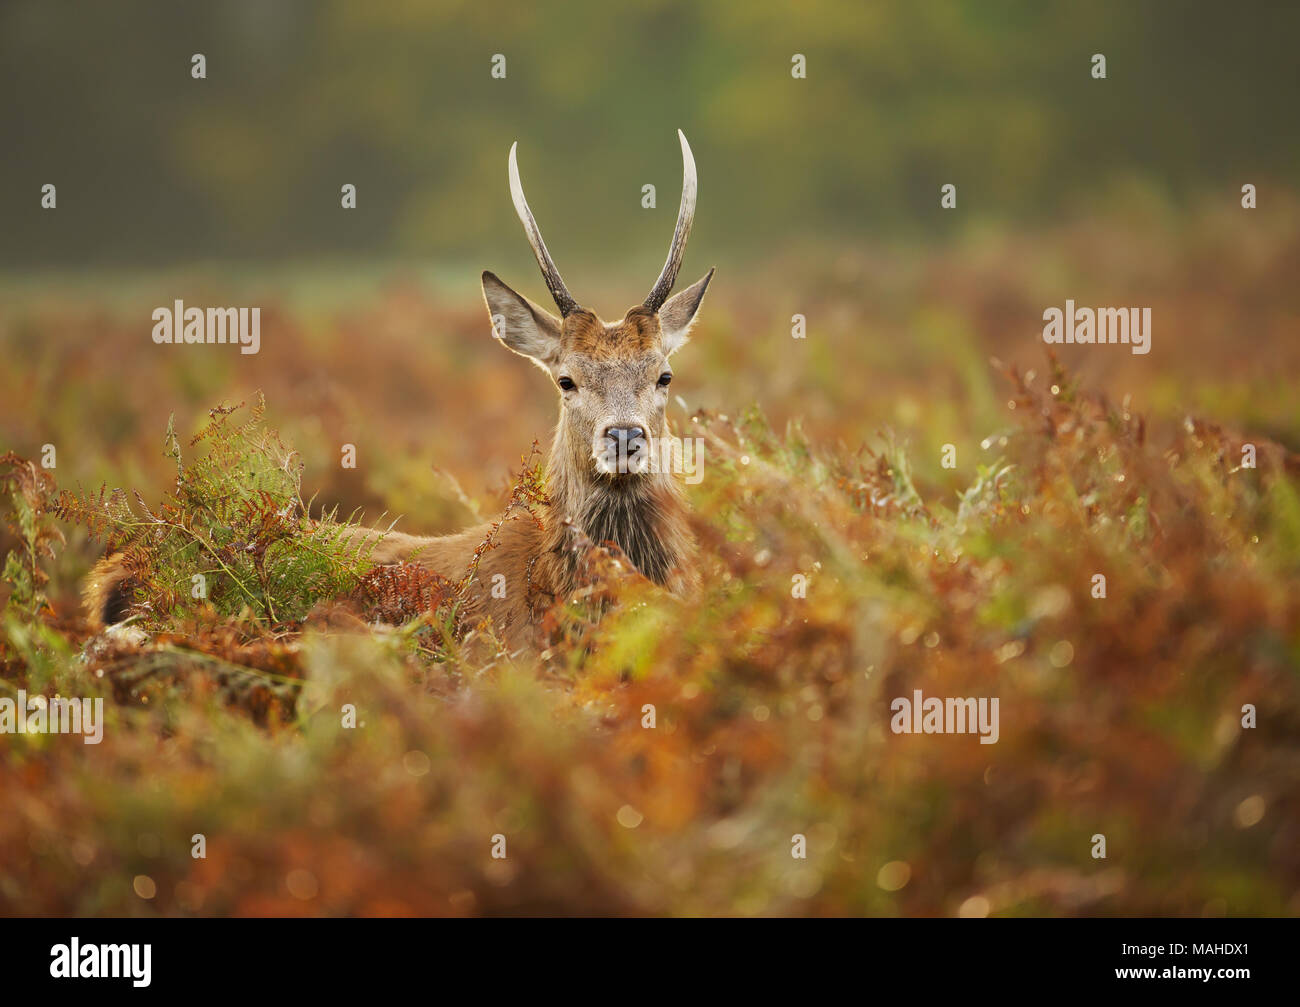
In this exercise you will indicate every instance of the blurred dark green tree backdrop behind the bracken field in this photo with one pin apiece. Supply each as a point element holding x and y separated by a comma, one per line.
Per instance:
<point>397,98</point>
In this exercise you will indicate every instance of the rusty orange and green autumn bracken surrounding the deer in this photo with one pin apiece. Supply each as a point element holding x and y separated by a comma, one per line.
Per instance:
<point>843,566</point>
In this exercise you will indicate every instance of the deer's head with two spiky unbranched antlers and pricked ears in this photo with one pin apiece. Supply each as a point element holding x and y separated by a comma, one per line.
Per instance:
<point>613,377</point>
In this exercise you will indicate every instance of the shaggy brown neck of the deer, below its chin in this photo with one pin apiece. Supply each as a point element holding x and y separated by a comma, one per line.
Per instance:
<point>643,515</point>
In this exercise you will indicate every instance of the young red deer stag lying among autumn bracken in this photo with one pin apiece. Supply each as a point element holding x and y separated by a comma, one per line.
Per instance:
<point>603,483</point>
